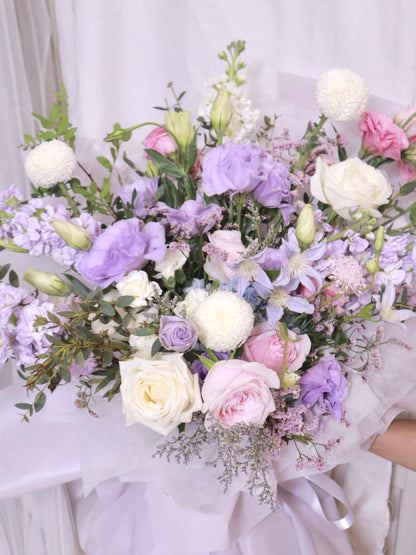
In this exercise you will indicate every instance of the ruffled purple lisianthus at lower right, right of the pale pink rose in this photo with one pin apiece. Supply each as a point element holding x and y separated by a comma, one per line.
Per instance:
<point>324,388</point>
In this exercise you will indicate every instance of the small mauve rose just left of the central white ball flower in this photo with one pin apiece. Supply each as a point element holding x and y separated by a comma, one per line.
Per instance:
<point>177,334</point>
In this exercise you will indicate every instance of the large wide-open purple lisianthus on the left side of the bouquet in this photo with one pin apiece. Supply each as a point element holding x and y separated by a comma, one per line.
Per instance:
<point>125,246</point>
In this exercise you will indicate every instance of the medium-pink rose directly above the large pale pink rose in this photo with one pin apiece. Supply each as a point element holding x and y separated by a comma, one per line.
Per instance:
<point>267,346</point>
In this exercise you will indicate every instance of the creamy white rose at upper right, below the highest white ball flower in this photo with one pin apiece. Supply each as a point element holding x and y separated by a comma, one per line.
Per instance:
<point>349,184</point>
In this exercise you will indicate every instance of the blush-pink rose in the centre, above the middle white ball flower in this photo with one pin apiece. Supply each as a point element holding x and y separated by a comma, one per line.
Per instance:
<point>224,248</point>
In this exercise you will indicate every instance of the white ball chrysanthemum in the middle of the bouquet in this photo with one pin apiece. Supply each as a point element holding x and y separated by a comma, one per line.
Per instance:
<point>224,321</point>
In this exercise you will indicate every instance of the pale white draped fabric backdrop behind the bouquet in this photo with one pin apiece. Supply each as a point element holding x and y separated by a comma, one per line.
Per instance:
<point>117,57</point>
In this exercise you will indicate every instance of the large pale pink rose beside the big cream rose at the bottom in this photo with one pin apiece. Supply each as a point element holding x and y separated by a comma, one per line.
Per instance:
<point>237,391</point>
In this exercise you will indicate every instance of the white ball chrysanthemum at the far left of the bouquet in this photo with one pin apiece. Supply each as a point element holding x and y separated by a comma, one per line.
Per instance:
<point>50,163</point>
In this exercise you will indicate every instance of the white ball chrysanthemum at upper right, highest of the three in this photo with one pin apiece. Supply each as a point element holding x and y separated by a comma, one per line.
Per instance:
<point>341,94</point>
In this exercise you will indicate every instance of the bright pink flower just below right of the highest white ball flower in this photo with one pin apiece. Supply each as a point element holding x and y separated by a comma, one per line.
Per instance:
<point>382,136</point>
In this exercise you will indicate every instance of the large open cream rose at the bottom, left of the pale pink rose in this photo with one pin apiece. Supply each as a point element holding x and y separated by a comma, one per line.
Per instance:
<point>159,394</point>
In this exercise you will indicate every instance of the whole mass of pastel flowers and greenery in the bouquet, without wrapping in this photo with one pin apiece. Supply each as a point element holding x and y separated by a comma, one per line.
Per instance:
<point>224,291</point>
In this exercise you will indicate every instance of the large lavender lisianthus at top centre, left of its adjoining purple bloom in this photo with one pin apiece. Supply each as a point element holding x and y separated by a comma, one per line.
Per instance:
<point>231,167</point>
